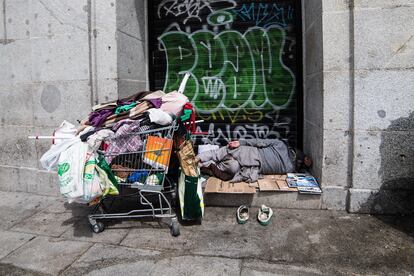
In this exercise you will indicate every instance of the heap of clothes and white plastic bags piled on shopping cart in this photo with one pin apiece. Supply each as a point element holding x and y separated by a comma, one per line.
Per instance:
<point>85,175</point>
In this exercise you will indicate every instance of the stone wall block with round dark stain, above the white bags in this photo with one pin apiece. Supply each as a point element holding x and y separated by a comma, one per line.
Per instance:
<point>55,102</point>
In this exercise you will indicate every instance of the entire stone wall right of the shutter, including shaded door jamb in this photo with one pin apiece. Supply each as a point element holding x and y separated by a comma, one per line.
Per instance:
<point>363,98</point>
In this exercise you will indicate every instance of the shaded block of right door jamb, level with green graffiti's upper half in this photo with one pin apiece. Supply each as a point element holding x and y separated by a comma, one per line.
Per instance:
<point>314,48</point>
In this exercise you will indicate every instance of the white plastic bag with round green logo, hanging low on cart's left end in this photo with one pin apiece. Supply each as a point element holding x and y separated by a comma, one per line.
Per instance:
<point>71,168</point>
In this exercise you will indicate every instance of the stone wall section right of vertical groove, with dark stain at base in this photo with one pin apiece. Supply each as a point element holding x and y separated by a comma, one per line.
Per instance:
<point>383,171</point>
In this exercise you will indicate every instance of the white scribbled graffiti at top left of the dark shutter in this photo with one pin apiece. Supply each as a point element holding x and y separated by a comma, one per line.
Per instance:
<point>189,8</point>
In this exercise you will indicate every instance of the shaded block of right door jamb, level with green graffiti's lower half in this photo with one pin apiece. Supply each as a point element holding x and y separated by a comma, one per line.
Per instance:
<point>313,104</point>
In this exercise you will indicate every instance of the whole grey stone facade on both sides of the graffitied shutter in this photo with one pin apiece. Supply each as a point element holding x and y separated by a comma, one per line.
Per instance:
<point>57,58</point>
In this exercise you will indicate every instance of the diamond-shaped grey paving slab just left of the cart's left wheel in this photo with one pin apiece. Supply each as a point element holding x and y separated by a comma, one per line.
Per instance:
<point>46,223</point>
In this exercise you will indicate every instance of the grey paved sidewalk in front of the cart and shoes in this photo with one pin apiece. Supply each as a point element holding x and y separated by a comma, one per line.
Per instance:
<point>43,235</point>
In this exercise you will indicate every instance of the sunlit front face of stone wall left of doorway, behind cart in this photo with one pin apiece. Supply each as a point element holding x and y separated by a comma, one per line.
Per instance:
<point>57,58</point>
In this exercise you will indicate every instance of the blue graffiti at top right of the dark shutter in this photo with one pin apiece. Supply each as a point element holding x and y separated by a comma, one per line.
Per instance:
<point>264,14</point>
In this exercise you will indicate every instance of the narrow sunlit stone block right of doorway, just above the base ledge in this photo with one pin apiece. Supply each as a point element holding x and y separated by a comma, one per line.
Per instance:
<point>335,158</point>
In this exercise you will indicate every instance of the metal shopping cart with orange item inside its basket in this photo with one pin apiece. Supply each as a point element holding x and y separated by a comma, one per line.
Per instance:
<point>142,177</point>
